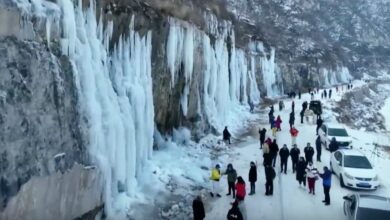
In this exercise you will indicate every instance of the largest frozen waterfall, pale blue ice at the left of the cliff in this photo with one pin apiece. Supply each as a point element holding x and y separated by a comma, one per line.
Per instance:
<point>115,92</point>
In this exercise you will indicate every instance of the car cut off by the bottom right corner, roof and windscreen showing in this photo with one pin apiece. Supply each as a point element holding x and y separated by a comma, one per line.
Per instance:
<point>366,207</point>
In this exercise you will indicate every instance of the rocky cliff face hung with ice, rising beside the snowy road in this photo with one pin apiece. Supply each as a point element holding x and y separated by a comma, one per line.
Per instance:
<point>70,97</point>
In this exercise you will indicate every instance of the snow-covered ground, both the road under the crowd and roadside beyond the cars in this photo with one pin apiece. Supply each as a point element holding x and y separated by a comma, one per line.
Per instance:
<point>289,200</point>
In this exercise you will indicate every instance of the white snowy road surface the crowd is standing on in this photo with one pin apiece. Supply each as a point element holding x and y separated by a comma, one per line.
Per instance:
<point>289,200</point>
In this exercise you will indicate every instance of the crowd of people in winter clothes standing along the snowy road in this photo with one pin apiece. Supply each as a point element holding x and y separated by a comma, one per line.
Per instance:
<point>303,167</point>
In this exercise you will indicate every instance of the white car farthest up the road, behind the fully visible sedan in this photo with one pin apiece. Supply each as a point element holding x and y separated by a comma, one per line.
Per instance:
<point>337,131</point>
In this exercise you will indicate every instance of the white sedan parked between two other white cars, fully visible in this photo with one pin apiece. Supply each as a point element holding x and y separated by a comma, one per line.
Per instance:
<point>354,169</point>
